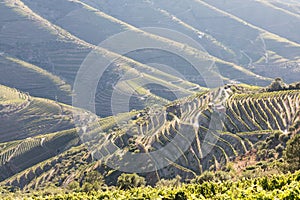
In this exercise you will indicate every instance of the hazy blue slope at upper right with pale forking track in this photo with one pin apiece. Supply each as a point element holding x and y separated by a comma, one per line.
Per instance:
<point>248,41</point>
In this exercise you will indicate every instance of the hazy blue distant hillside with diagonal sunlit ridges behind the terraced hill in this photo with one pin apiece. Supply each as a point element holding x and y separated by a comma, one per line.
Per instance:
<point>65,35</point>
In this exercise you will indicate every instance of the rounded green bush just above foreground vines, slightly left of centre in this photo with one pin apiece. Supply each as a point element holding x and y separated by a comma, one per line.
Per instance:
<point>128,181</point>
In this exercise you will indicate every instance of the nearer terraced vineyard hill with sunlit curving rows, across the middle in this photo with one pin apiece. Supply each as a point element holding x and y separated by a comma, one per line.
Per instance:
<point>217,126</point>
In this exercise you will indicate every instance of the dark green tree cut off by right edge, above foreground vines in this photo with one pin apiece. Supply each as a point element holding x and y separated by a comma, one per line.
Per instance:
<point>292,153</point>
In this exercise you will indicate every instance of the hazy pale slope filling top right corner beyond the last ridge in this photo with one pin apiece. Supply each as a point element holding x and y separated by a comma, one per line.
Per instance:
<point>278,21</point>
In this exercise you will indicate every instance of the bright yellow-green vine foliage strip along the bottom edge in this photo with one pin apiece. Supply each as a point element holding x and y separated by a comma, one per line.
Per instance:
<point>281,186</point>
